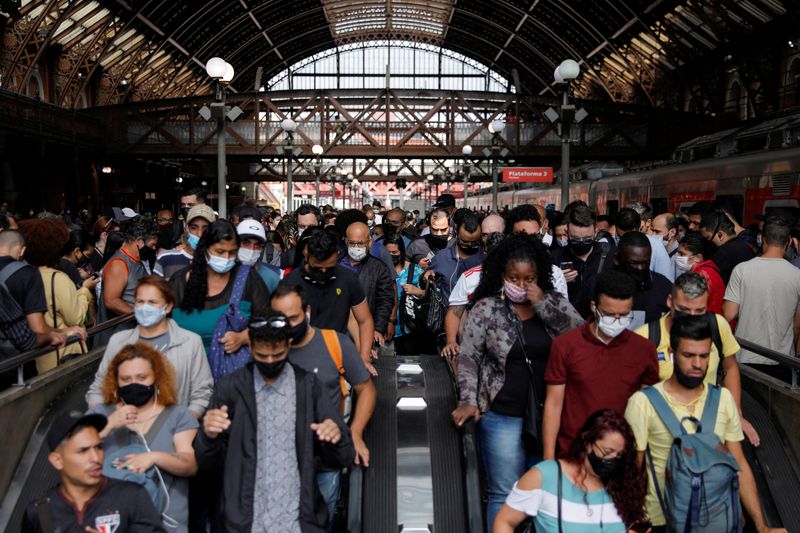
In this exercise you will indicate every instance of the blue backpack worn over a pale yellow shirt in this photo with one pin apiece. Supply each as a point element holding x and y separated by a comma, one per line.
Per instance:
<point>701,492</point>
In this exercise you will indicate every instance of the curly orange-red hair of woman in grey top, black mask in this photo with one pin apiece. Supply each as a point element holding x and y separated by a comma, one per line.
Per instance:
<point>162,369</point>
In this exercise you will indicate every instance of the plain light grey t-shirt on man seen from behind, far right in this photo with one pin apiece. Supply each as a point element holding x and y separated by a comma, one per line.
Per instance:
<point>768,293</point>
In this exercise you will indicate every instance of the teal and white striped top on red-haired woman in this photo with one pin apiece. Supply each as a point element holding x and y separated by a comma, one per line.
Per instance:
<point>581,512</point>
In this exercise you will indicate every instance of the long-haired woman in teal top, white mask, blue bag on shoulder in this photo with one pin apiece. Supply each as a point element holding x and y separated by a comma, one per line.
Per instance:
<point>206,287</point>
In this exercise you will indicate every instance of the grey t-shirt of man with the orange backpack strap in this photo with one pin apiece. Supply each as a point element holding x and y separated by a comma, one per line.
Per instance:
<point>315,358</point>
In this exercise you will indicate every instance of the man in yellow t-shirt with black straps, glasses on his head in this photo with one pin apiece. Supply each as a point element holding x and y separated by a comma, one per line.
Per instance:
<point>689,297</point>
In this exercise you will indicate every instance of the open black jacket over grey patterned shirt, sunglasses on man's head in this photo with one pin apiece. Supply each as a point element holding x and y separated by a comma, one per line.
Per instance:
<point>235,450</point>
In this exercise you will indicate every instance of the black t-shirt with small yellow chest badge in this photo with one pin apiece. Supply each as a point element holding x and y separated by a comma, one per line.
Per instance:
<point>331,304</point>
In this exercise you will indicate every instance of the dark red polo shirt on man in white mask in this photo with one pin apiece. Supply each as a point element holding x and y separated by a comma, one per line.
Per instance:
<point>597,375</point>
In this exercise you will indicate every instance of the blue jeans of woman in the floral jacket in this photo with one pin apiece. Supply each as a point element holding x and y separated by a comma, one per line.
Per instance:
<point>504,458</point>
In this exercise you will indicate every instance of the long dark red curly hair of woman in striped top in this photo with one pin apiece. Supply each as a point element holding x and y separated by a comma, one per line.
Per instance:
<point>628,488</point>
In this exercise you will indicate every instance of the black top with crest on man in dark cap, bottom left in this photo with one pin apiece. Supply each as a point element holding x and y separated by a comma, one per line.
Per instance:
<point>122,505</point>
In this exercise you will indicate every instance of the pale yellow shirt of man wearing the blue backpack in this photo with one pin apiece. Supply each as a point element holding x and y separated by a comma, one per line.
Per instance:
<point>649,430</point>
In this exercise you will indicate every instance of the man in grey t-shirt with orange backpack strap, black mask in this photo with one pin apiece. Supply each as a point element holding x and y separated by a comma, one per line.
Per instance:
<point>311,350</point>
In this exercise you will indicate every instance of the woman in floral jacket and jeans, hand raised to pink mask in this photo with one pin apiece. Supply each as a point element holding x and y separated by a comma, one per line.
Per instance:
<point>503,354</point>
